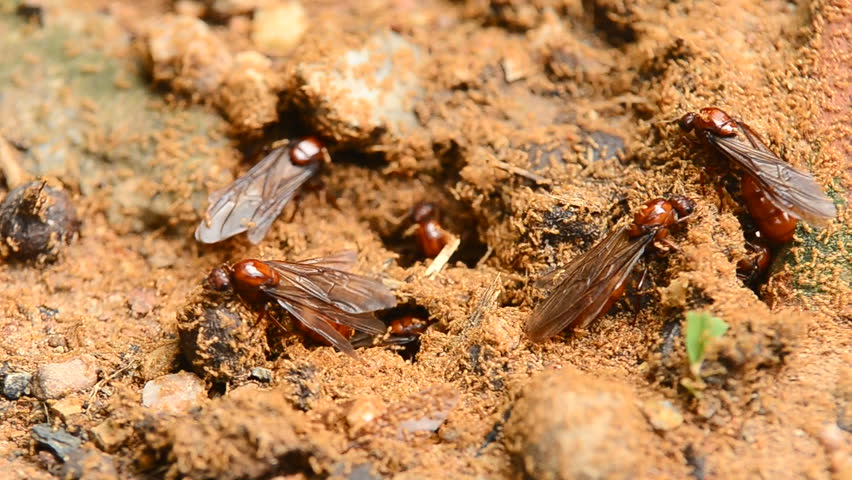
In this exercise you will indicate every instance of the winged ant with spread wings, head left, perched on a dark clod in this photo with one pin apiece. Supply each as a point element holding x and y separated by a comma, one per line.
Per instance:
<point>319,293</point>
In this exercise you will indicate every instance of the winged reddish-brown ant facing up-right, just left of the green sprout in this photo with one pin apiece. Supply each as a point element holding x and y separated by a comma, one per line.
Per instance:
<point>591,283</point>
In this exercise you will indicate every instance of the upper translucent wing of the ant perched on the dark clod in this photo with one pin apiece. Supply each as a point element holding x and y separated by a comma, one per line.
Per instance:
<point>349,292</point>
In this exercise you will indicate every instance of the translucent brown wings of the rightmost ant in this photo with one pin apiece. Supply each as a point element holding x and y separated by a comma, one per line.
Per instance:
<point>792,190</point>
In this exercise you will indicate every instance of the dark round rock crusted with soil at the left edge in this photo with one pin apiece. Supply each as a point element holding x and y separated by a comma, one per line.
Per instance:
<point>36,222</point>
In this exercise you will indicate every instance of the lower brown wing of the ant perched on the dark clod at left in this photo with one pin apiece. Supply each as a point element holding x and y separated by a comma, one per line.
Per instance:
<point>293,296</point>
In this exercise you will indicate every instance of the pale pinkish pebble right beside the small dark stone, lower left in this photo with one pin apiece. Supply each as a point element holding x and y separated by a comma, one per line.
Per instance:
<point>56,380</point>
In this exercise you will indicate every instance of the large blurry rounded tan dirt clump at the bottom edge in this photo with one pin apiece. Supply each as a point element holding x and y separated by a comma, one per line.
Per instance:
<point>567,425</point>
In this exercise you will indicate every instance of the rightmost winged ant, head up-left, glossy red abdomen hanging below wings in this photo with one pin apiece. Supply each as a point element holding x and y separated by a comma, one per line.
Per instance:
<point>775,193</point>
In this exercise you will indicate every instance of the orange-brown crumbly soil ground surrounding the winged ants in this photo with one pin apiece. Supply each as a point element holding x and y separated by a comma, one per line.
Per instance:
<point>535,127</point>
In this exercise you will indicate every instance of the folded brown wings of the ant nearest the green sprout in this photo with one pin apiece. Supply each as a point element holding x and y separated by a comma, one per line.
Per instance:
<point>587,285</point>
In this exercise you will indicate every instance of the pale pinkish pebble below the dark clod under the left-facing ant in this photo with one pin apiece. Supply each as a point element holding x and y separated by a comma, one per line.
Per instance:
<point>173,394</point>
